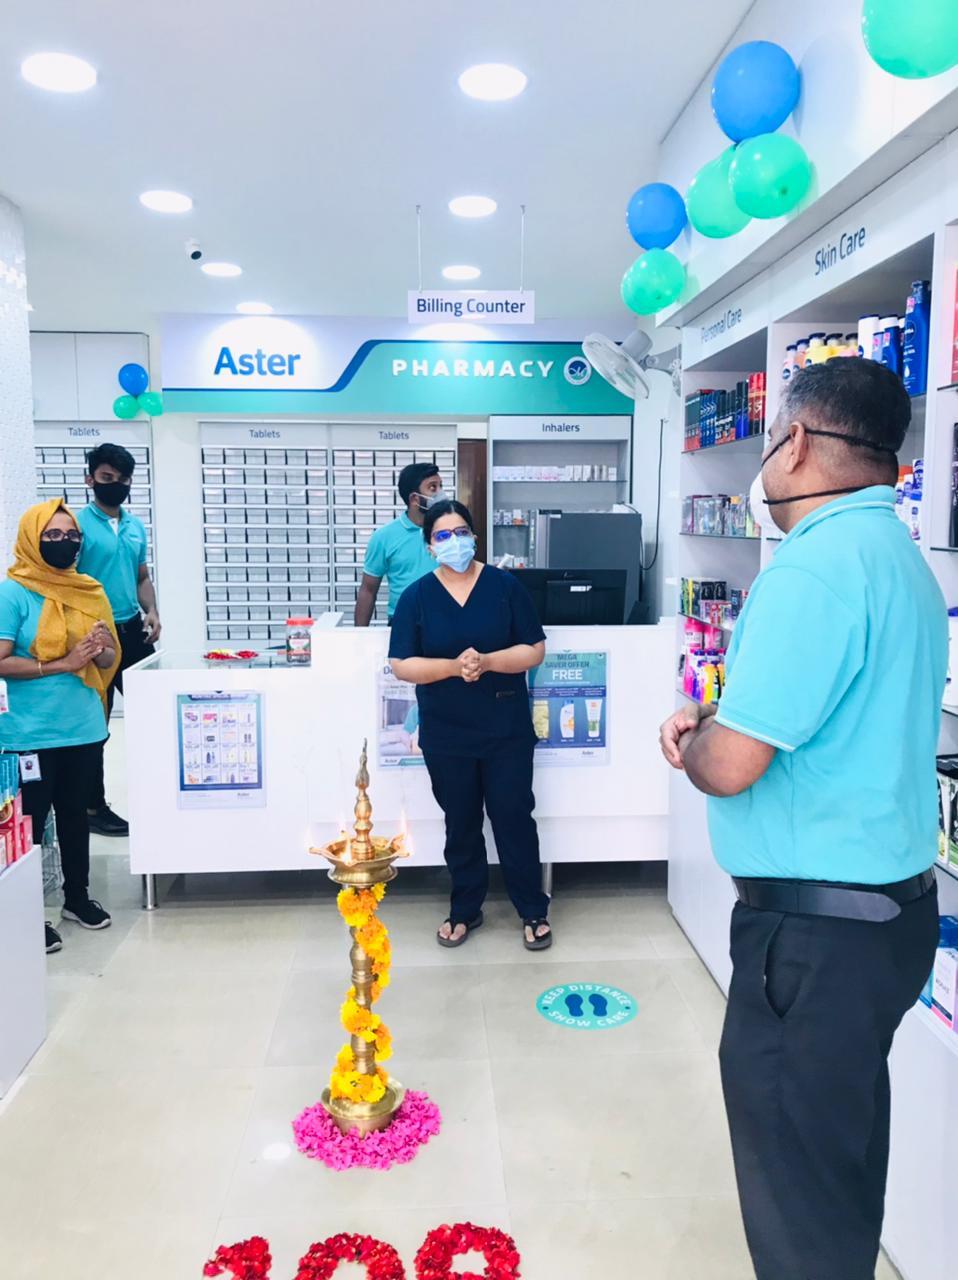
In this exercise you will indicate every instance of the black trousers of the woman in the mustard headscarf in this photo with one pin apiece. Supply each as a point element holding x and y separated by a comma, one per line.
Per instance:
<point>65,785</point>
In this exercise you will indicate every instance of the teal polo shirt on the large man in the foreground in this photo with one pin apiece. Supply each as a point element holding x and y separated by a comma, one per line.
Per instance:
<point>840,662</point>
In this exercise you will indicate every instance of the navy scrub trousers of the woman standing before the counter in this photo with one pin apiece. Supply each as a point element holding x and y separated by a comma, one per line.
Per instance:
<point>504,785</point>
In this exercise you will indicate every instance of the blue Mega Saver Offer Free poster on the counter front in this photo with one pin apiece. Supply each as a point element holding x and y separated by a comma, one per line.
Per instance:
<point>569,696</point>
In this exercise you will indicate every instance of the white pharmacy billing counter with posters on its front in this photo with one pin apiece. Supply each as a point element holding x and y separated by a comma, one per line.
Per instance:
<point>244,769</point>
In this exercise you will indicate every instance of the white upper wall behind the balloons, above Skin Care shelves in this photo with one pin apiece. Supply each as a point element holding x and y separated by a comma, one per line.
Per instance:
<point>857,124</point>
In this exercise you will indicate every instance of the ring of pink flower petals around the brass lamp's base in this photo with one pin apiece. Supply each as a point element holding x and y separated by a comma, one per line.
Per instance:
<point>416,1123</point>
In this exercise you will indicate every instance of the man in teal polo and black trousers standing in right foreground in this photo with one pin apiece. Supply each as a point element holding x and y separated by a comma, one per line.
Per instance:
<point>820,769</point>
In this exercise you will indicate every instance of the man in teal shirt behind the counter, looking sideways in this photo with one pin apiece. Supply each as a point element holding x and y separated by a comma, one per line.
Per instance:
<point>398,551</point>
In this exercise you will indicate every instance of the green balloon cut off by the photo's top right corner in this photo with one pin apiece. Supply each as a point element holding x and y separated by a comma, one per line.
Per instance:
<point>913,40</point>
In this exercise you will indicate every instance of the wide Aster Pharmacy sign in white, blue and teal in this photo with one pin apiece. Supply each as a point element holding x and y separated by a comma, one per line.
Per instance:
<point>267,365</point>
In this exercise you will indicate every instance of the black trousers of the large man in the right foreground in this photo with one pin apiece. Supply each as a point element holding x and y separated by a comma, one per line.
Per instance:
<point>813,1009</point>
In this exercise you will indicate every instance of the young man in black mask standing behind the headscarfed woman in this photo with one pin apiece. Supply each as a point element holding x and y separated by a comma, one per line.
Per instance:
<point>115,554</point>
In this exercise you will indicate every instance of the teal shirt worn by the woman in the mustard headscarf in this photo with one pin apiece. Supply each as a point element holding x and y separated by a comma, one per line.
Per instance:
<point>53,711</point>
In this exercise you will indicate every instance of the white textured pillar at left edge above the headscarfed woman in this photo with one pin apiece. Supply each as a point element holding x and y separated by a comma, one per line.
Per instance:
<point>17,465</point>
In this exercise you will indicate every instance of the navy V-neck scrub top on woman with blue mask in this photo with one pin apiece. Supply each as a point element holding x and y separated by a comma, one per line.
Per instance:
<point>491,715</point>
